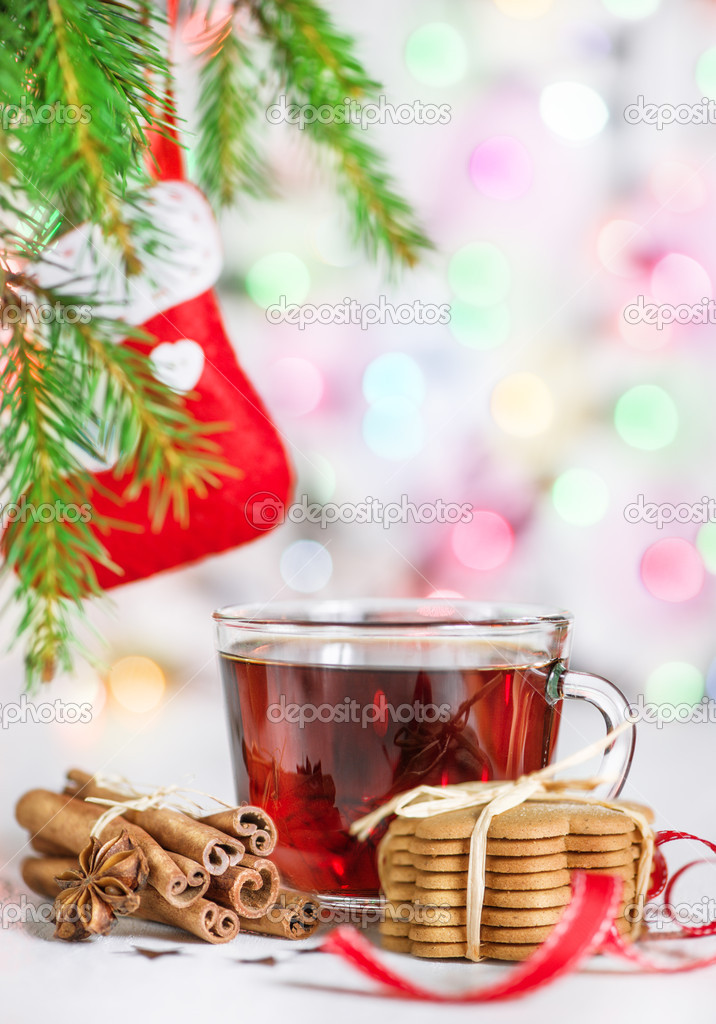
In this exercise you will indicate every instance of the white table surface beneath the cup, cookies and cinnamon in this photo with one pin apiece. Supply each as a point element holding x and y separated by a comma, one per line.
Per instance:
<point>107,982</point>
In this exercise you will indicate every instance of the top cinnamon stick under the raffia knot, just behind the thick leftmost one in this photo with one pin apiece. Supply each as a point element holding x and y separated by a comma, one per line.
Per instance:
<point>174,831</point>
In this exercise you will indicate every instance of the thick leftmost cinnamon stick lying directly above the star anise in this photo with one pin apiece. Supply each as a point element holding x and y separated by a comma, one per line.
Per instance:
<point>58,822</point>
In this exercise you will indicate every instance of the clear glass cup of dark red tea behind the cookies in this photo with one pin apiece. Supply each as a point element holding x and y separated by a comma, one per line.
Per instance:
<point>336,707</point>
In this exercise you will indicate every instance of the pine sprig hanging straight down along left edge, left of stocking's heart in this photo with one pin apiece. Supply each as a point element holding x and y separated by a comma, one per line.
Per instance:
<point>54,561</point>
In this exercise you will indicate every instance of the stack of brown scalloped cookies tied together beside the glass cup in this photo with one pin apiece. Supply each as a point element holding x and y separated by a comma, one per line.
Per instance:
<point>532,851</point>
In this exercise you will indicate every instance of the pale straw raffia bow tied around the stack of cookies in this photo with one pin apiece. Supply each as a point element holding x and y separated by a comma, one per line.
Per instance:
<point>429,801</point>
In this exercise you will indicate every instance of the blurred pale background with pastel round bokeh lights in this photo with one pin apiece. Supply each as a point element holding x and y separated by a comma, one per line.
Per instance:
<point>539,404</point>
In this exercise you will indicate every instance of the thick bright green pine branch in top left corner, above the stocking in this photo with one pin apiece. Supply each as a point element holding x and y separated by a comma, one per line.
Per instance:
<point>83,101</point>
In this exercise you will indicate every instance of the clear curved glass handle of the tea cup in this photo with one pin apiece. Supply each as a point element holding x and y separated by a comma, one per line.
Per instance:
<point>565,686</point>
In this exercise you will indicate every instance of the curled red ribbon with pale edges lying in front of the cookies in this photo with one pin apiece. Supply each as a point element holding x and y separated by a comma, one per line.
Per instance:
<point>585,927</point>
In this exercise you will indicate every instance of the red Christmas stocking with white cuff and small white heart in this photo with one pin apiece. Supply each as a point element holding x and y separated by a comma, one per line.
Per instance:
<point>174,302</point>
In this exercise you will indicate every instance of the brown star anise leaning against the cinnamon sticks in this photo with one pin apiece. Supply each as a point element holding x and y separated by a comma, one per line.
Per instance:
<point>102,888</point>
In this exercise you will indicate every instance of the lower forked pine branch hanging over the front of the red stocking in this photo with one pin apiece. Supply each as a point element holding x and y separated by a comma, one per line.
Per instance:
<point>57,382</point>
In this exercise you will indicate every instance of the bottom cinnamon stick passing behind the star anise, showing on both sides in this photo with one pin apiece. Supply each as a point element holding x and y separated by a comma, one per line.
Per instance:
<point>202,918</point>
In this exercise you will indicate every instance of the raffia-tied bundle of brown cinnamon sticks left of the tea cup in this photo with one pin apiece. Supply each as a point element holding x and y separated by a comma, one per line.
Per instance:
<point>210,876</point>
